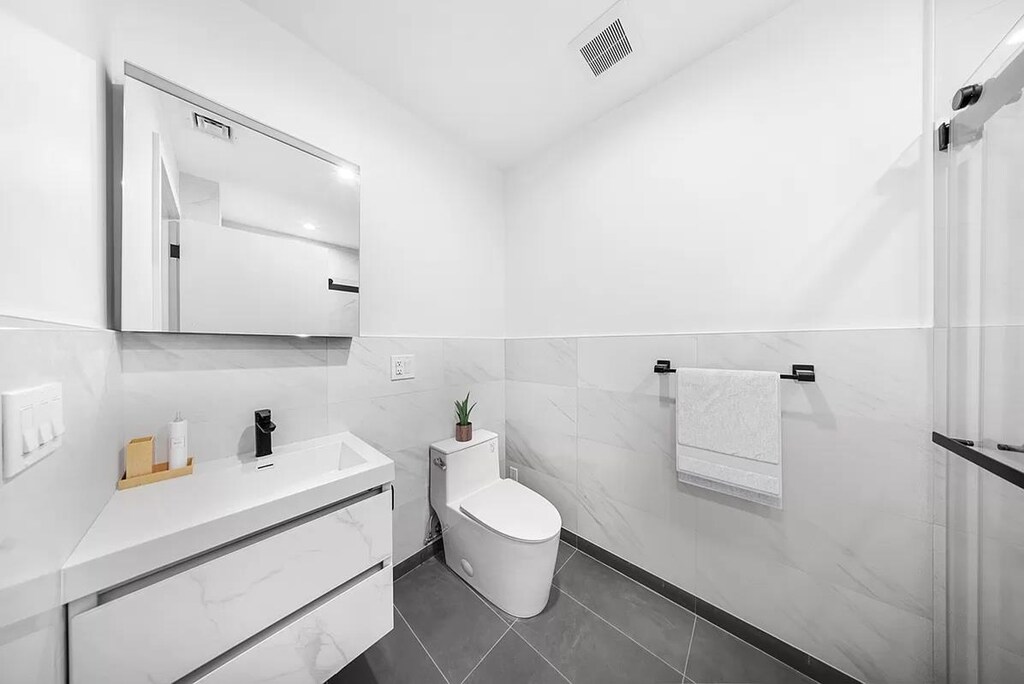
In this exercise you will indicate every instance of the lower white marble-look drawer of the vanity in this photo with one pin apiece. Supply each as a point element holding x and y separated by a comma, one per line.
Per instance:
<point>319,644</point>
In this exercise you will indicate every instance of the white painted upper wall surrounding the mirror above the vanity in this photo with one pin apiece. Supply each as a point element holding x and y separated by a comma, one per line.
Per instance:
<point>433,225</point>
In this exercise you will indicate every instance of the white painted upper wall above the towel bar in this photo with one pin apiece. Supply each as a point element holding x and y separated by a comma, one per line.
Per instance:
<point>777,185</point>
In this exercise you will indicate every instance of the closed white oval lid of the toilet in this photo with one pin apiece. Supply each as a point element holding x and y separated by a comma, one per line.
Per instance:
<point>514,510</point>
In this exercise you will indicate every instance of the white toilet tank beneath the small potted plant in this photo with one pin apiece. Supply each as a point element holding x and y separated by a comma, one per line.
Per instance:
<point>468,466</point>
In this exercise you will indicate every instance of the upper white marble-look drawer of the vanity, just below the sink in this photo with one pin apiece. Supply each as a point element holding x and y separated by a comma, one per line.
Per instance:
<point>167,629</point>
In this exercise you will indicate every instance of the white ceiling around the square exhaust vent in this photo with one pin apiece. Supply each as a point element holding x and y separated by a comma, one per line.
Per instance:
<point>504,76</point>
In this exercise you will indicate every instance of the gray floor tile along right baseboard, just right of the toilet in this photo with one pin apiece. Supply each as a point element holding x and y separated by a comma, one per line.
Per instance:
<point>653,621</point>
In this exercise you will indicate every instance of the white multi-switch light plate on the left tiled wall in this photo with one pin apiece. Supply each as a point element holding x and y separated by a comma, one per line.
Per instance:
<point>32,427</point>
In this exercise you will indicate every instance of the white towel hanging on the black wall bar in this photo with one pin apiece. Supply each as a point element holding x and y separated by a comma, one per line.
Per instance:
<point>729,436</point>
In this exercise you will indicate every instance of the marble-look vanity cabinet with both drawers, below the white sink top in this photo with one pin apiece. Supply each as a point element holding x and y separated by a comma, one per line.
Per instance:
<point>292,604</point>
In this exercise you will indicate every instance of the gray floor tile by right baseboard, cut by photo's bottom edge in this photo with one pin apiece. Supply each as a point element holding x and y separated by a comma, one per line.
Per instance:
<point>719,658</point>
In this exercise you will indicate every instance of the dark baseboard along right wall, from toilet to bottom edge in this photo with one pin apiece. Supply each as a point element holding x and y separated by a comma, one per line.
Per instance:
<point>800,661</point>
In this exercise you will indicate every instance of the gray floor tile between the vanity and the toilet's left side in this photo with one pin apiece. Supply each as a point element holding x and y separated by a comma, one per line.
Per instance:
<point>451,621</point>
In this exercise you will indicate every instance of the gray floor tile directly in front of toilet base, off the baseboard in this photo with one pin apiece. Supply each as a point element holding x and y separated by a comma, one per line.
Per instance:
<point>587,650</point>
